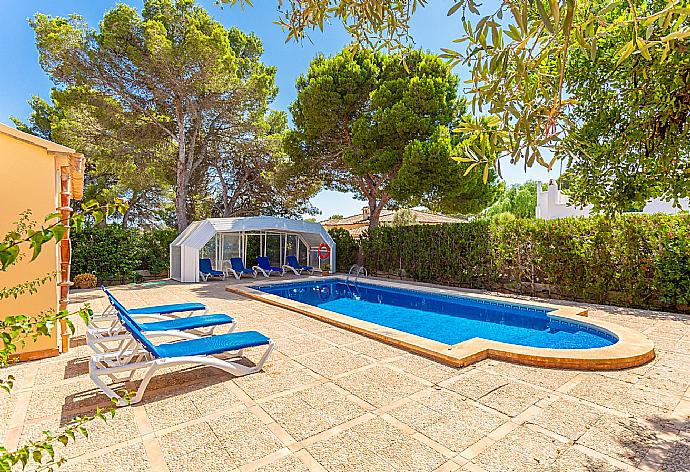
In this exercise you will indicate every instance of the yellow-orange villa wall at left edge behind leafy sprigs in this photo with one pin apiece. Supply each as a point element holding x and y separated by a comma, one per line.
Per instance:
<point>29,182</point>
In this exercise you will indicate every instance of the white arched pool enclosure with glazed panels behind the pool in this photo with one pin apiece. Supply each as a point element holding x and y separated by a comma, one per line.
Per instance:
<point>221,239</point>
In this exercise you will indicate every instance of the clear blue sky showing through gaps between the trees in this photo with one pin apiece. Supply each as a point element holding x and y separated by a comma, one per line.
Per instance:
<point>23,77</point>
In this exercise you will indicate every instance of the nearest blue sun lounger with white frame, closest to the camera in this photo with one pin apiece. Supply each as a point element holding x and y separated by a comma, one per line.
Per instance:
<point>139,352</point>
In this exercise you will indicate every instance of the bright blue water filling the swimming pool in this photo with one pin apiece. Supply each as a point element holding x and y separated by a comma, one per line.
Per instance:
<point>449,319</point>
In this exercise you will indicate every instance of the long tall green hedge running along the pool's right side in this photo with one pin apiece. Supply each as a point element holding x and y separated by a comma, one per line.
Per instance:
<point>631,260</point>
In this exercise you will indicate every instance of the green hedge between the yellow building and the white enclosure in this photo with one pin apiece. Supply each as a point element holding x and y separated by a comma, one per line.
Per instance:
<point>113,253</point>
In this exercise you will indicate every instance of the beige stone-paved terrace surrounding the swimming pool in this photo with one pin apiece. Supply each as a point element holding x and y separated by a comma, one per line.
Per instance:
<point>332,400</point>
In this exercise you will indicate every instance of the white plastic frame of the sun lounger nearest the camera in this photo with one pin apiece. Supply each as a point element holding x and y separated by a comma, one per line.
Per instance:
<point>132,357</point>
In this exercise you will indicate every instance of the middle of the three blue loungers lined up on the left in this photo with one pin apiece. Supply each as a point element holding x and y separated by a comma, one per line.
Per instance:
<point>101,338</point>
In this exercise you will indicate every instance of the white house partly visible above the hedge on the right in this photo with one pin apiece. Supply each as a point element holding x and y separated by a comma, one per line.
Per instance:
<point>553,204</point>
